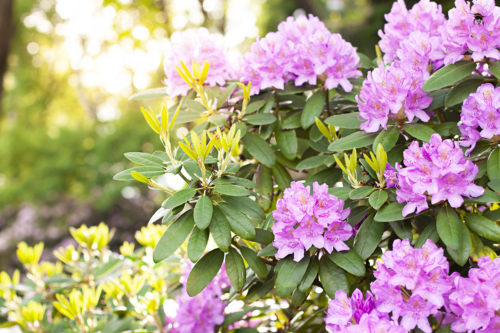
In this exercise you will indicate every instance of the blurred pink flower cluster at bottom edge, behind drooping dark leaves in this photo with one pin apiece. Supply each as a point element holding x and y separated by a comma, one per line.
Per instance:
<point>202,312</point>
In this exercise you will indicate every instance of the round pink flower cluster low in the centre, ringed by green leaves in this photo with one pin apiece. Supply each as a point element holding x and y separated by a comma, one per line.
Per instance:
<point>304,220</point>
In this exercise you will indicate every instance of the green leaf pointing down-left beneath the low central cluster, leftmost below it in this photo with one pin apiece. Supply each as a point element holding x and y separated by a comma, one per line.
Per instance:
<point>290,275</point>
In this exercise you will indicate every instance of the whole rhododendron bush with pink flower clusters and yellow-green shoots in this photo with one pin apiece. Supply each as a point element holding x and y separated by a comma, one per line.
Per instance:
<point>316,190</point>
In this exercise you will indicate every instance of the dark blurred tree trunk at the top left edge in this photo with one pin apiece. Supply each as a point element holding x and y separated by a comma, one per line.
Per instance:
<point>6,33</point>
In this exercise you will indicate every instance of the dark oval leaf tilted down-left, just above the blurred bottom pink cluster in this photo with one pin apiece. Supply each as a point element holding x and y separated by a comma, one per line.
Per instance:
<point>204,271</point>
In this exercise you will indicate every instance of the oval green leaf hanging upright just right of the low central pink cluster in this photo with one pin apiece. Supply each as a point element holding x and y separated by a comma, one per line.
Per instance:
<point>368,237</point>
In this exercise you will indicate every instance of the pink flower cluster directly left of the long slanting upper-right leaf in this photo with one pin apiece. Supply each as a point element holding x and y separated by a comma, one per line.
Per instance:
<point>392,92</point>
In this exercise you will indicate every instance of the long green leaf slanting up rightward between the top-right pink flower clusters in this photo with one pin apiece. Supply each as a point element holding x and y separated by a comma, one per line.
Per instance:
<point>449,75</point>
